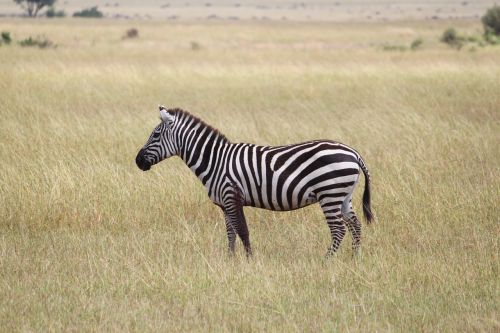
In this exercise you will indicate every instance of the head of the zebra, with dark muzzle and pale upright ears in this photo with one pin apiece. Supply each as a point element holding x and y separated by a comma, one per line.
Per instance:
<point>161,143</point>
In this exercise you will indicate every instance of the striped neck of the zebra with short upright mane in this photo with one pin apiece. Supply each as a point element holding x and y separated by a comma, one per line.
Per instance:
<point>199,144</point>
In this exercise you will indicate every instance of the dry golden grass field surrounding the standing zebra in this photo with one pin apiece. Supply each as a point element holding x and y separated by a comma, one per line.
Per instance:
<point>88,242</point>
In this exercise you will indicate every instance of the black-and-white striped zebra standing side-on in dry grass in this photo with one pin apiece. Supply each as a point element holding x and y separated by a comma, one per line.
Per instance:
<point>278,178</point>
